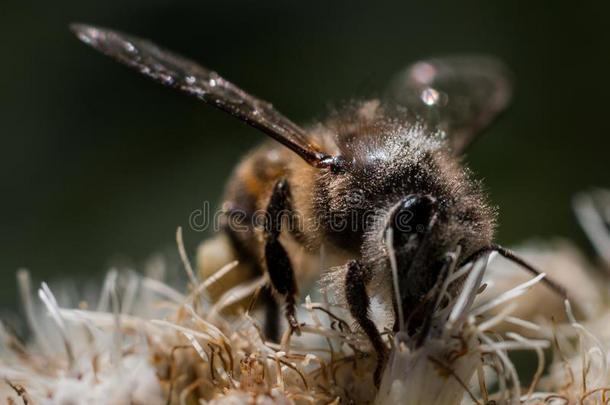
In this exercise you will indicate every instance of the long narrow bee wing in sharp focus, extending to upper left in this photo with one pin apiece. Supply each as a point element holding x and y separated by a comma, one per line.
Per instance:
<point>175,71</point>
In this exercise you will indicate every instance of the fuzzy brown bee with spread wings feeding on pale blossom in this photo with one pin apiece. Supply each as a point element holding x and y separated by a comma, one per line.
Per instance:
<point>380,184</point>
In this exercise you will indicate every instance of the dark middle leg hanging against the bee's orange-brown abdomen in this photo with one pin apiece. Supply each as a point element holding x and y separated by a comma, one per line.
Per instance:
<point>279,268</point>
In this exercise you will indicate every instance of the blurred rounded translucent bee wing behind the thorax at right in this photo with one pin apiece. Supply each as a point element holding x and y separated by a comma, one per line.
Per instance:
<point>460,95</point>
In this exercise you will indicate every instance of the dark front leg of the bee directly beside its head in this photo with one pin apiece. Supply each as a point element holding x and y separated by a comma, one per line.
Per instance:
<point>359,304</point>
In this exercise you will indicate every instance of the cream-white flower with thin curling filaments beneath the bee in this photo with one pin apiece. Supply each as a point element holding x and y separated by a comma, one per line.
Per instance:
<point>145,342</point>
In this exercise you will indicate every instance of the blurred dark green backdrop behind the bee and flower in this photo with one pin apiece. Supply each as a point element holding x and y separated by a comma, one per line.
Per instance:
<point>100,165</point>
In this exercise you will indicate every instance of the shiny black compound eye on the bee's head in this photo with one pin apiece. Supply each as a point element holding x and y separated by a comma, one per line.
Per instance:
<point>413,214</point>
